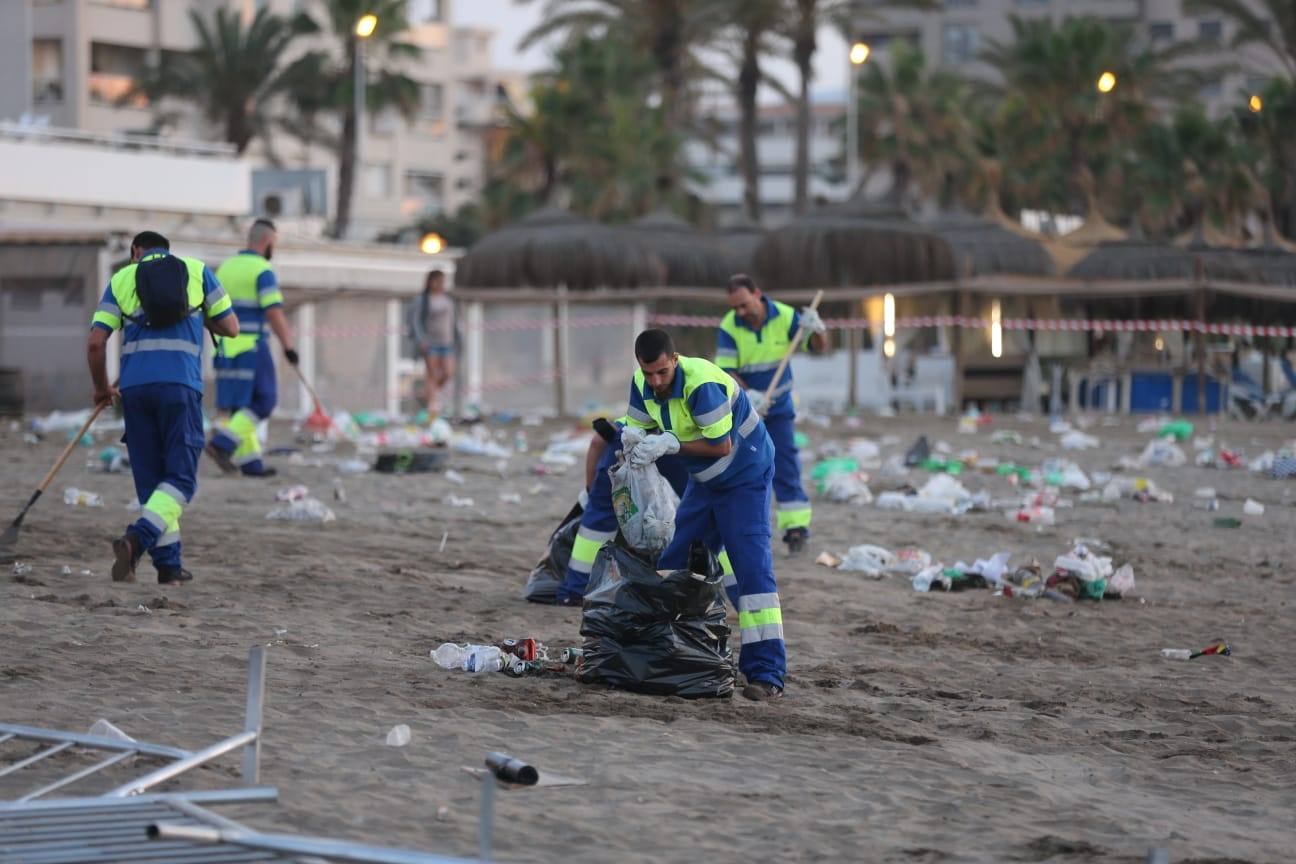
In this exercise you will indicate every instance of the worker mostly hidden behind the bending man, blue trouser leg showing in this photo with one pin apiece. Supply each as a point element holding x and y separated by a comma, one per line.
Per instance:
<point>599,519</point>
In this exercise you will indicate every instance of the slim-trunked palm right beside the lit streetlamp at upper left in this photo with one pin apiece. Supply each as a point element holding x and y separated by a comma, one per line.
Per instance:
<point>325,82</point>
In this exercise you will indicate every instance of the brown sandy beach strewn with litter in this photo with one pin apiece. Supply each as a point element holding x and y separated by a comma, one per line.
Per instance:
<point>920,729</point>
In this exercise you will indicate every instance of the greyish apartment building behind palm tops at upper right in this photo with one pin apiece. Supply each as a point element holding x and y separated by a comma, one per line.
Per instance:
<point>958,34</point>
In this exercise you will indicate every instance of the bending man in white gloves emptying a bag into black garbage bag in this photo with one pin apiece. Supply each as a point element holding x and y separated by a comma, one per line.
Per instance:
<point>694,409</point>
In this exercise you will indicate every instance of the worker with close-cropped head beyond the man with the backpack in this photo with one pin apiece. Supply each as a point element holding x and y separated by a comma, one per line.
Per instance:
<point>246,370</point>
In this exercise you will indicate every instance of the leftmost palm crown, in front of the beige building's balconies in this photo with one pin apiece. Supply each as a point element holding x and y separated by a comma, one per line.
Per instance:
<point>233,76</point>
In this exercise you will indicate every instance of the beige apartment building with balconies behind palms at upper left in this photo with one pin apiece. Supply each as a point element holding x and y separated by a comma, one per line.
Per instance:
<point>68,63</point>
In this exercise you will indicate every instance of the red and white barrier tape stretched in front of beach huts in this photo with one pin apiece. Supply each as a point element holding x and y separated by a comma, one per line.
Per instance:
<point>856,324</point>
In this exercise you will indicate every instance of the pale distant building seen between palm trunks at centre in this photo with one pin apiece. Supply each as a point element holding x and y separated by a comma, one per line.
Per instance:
<point>716,159</point>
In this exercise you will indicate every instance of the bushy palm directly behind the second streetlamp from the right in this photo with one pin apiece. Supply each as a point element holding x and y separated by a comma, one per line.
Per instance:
<point>1065,128</point>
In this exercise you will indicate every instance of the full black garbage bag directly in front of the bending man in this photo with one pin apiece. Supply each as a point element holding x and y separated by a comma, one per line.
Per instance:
<point>664,637</point>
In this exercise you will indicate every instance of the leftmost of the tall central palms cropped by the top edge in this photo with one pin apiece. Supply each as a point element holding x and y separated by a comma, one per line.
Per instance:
<point>669,32</point>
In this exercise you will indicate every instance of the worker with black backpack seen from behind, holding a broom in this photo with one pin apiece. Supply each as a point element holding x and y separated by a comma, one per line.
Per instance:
<point>160,302</point>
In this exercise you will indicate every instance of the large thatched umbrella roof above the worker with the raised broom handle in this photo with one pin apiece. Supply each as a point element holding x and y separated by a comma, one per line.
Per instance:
<point>853,244</point>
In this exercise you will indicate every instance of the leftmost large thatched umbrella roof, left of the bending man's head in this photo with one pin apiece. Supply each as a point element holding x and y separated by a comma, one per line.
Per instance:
<point>553,248</point>
